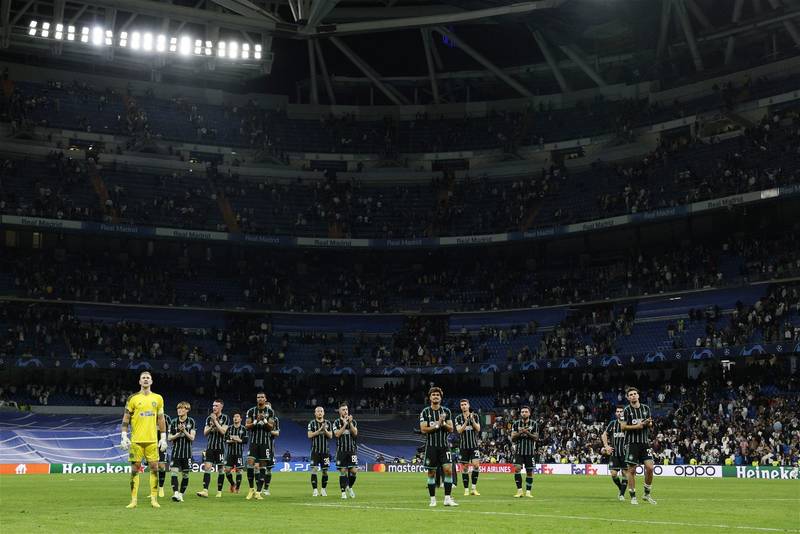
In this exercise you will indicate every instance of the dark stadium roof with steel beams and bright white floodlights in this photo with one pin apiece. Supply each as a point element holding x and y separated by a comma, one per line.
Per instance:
<point>403,51</point>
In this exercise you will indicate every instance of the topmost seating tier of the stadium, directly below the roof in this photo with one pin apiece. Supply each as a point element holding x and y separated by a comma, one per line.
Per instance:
<point>78,106</point>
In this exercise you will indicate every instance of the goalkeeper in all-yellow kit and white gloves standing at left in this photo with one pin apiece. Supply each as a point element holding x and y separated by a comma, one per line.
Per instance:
<point>144,411</point>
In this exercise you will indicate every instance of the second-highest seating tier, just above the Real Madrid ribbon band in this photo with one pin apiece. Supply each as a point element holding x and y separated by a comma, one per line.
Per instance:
<point>675,174</point>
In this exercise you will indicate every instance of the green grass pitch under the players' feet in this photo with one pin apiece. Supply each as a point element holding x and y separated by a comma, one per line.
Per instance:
<point>399,503</point>
